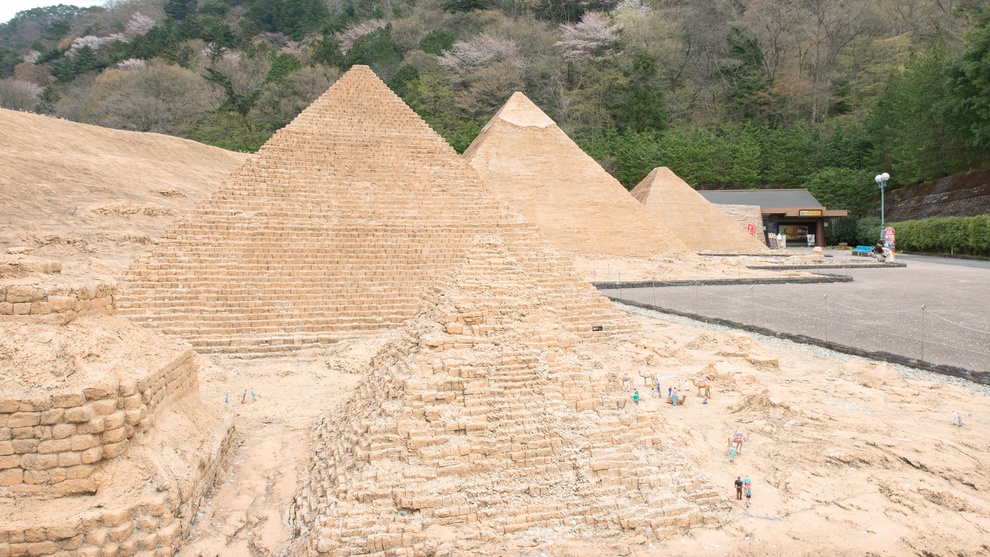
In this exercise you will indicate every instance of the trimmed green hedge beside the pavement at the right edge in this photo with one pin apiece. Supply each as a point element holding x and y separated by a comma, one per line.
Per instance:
<point>956,235</point>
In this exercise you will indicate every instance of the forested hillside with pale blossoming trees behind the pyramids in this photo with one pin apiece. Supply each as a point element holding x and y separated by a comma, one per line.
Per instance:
<point>822,94</point>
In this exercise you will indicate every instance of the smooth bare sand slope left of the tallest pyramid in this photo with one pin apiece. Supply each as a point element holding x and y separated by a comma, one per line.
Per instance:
<point>72,189</point>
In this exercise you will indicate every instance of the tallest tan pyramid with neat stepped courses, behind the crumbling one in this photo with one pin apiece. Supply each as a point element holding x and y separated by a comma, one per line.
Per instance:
<point>332,230</point>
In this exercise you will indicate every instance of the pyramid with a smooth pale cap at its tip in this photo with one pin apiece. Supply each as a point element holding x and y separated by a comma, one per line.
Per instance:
<point>580,208</point>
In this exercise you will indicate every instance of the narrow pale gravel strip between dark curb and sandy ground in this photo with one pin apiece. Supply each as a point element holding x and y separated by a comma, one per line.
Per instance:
<point>908,372</point>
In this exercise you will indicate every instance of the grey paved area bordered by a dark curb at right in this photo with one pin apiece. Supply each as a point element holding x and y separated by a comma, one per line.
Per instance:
<point>936,309</point>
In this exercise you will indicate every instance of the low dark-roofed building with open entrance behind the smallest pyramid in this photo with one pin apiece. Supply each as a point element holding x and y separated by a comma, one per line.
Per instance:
<point>793,213</point>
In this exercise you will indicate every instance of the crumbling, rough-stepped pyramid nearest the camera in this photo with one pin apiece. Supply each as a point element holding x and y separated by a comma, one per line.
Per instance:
<point>482,418</point>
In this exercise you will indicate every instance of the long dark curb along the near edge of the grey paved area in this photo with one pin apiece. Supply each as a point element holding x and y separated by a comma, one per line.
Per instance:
<point>981,377</point>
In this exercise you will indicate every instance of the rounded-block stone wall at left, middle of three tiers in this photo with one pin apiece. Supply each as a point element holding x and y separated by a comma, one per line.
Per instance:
<point>59,440</point>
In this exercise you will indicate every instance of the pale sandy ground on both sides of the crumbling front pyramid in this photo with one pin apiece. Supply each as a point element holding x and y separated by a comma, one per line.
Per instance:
<point>846,457</point>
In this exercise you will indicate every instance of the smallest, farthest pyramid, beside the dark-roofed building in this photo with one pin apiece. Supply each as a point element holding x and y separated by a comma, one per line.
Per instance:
<point>696,221</point>
